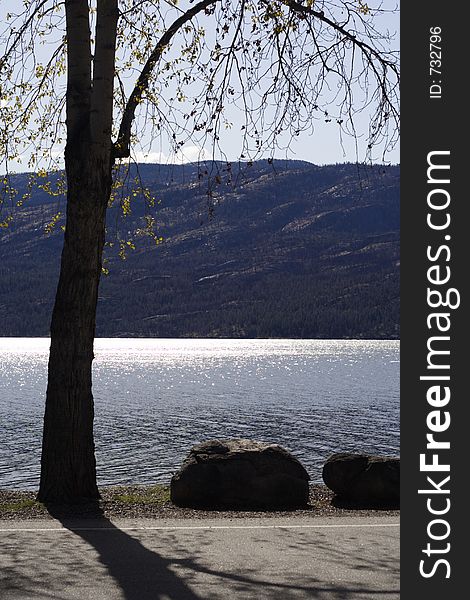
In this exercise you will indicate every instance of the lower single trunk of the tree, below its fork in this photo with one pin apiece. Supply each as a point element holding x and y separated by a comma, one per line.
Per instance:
<point>68,470</point>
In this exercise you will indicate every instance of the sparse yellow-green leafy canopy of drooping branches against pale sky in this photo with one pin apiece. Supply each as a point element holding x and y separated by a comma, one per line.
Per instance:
<point>187,71</point>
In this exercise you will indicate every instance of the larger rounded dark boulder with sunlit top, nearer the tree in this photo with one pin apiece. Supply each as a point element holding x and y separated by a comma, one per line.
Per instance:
<point>240,474</point>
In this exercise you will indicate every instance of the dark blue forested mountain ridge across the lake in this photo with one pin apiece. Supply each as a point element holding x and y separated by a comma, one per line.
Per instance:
<point>269,249</point>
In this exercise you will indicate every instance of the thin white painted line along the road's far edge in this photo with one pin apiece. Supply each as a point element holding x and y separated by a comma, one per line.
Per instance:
<point>196,527</point>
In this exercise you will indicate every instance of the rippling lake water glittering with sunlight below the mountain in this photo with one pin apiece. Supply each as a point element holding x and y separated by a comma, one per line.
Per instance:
<point>155,398</point>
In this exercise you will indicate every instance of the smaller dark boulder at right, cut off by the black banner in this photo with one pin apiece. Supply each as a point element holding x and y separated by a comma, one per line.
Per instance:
<point>363,478</point>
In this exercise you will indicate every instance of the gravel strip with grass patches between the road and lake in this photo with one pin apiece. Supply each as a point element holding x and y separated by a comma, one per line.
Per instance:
<point>139,501</point>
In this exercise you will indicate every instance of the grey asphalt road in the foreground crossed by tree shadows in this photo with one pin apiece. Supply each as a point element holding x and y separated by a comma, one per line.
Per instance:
<point>241,559</point>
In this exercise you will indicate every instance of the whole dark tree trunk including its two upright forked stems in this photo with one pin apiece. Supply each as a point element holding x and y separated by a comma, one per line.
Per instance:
<point>68,467</point>
